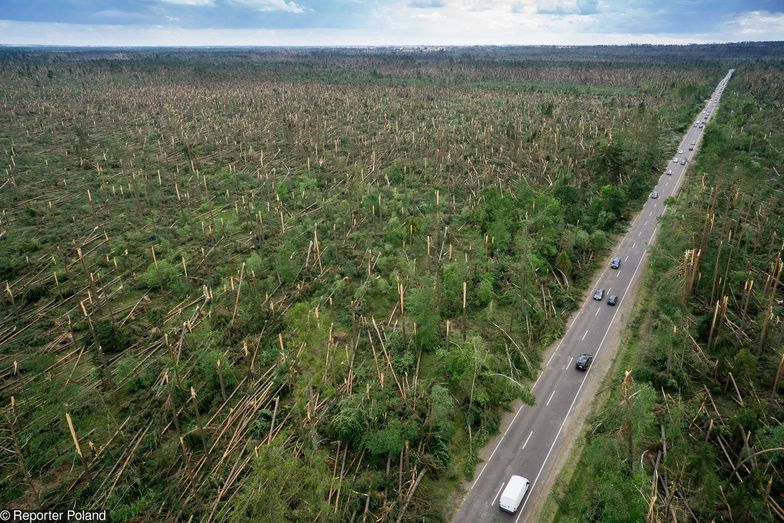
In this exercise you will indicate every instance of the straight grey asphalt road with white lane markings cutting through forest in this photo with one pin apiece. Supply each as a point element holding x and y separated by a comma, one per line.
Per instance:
<point>536,440</point>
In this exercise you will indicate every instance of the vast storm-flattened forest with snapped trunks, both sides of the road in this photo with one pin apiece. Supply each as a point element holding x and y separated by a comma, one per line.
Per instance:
<point>304,285</point>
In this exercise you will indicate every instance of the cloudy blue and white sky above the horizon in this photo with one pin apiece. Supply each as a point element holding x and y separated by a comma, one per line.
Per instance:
<point>386,22</point>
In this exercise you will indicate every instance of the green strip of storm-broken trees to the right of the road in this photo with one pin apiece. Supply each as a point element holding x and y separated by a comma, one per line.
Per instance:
<point>694,432</point>
